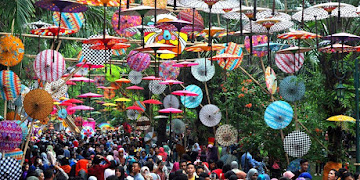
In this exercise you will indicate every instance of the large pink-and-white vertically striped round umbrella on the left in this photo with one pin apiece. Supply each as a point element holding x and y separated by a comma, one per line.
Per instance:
<point>49,65</point>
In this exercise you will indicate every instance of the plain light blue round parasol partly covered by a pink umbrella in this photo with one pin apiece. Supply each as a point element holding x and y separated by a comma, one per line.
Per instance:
<point>192,101</point>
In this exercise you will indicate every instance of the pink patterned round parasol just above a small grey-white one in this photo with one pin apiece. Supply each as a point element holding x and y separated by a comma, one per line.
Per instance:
<point>138,61</point>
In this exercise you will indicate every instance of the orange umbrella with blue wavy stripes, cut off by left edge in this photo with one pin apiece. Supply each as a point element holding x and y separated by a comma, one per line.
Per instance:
<point>10,85</point>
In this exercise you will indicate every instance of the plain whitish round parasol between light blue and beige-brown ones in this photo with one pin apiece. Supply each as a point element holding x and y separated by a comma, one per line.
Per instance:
<point>210,115</point>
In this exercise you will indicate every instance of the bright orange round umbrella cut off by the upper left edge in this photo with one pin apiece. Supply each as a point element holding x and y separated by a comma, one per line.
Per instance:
<point>11,50</point>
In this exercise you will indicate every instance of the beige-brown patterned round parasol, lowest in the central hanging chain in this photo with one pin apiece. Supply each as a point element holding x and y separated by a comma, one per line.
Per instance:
<point>226,135</point>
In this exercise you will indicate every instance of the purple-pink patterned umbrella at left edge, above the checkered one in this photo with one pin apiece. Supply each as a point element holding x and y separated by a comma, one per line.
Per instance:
<point>10,135</point>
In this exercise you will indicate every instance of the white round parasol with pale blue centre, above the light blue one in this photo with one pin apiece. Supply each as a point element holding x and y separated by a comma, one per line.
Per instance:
<point>204,71</point>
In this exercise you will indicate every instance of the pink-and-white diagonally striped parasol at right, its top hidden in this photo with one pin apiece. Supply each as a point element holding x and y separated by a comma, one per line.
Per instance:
<point>287,62</point>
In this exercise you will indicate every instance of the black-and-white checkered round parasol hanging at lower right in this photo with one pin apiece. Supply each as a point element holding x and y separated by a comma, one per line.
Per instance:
<point>297,144</point>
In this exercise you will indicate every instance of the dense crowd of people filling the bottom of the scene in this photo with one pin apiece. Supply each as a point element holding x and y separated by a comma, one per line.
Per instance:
<point>113,156</point>
